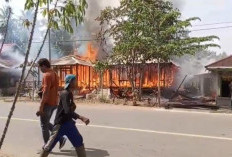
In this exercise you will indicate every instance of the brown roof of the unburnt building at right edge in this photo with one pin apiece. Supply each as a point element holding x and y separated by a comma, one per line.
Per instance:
<point>223,64</point>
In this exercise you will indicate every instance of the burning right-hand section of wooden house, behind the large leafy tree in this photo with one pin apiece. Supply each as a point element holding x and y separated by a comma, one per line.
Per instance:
<point>149,75</point>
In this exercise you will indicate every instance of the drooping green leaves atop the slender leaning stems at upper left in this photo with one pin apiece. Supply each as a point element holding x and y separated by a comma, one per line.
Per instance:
<point>61,16</point>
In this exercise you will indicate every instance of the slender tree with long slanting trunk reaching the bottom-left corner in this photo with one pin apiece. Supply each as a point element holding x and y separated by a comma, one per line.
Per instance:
<point>57,16</point>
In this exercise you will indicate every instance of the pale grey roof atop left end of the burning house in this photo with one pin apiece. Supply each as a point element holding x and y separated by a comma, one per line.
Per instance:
<point>71,60</point>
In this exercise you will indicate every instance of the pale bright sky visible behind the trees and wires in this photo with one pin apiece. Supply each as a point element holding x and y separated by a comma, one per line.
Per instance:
<point>210,11</point>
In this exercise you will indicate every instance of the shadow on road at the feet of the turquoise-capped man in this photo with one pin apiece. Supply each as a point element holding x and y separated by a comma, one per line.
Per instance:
<point>90,152</point>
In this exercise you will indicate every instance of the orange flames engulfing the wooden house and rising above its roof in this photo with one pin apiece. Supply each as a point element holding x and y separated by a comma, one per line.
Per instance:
<point>88,79</point>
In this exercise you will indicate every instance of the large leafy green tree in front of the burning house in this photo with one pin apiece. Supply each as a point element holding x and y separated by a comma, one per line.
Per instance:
<point>148,30</point>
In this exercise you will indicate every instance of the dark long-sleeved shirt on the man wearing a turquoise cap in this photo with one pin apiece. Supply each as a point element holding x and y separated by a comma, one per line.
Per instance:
<point>64,110</point>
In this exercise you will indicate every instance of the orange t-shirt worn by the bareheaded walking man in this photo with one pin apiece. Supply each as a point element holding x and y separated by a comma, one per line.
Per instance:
<point>51,83</point>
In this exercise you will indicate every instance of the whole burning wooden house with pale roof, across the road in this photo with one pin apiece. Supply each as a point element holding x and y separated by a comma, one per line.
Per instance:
<point>116,76</point>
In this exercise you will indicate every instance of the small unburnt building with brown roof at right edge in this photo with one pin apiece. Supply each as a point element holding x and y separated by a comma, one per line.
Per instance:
<point>221,77</point>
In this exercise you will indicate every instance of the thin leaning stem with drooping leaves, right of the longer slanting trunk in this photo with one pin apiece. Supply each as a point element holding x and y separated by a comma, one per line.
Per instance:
<point>61,18</point>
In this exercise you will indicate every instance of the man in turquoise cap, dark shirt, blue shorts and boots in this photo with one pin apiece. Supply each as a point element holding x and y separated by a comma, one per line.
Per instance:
<point>64,123</point>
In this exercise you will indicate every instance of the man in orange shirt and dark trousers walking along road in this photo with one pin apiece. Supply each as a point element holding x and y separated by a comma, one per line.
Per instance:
<point>49,100</point>
